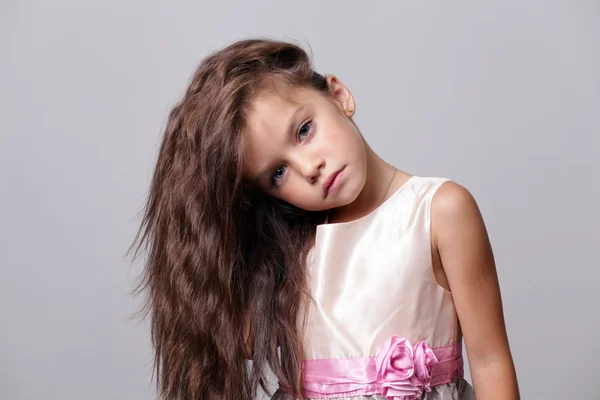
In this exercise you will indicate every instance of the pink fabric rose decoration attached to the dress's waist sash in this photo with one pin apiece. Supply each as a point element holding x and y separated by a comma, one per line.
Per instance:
<point>404,371</point>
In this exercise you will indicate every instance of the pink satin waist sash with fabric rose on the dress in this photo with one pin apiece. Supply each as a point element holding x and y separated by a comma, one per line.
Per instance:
<point>399,371</point>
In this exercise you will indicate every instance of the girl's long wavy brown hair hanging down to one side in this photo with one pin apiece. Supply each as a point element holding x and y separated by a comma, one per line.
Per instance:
<point>224,276</point>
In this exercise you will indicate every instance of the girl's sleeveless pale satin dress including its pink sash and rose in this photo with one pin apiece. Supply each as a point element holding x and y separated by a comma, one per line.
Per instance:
<point>379,326</point>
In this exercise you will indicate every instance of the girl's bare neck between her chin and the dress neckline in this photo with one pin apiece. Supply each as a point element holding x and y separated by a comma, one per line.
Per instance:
<point>378,181</point>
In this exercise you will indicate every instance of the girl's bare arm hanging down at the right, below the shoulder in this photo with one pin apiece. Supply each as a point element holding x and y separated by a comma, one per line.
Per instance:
<point>461,239</point>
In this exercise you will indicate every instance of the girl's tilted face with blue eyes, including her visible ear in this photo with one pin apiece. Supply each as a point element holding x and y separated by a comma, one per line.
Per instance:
<point>304,149</point>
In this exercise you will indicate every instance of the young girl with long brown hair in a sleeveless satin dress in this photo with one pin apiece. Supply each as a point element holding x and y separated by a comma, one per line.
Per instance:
<point>276,234</point>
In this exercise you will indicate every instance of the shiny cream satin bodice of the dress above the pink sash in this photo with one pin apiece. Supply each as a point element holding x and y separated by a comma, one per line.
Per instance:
<point>371,279</point>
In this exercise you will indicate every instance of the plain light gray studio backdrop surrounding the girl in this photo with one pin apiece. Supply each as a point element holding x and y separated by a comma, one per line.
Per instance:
<point>501,96</point>
